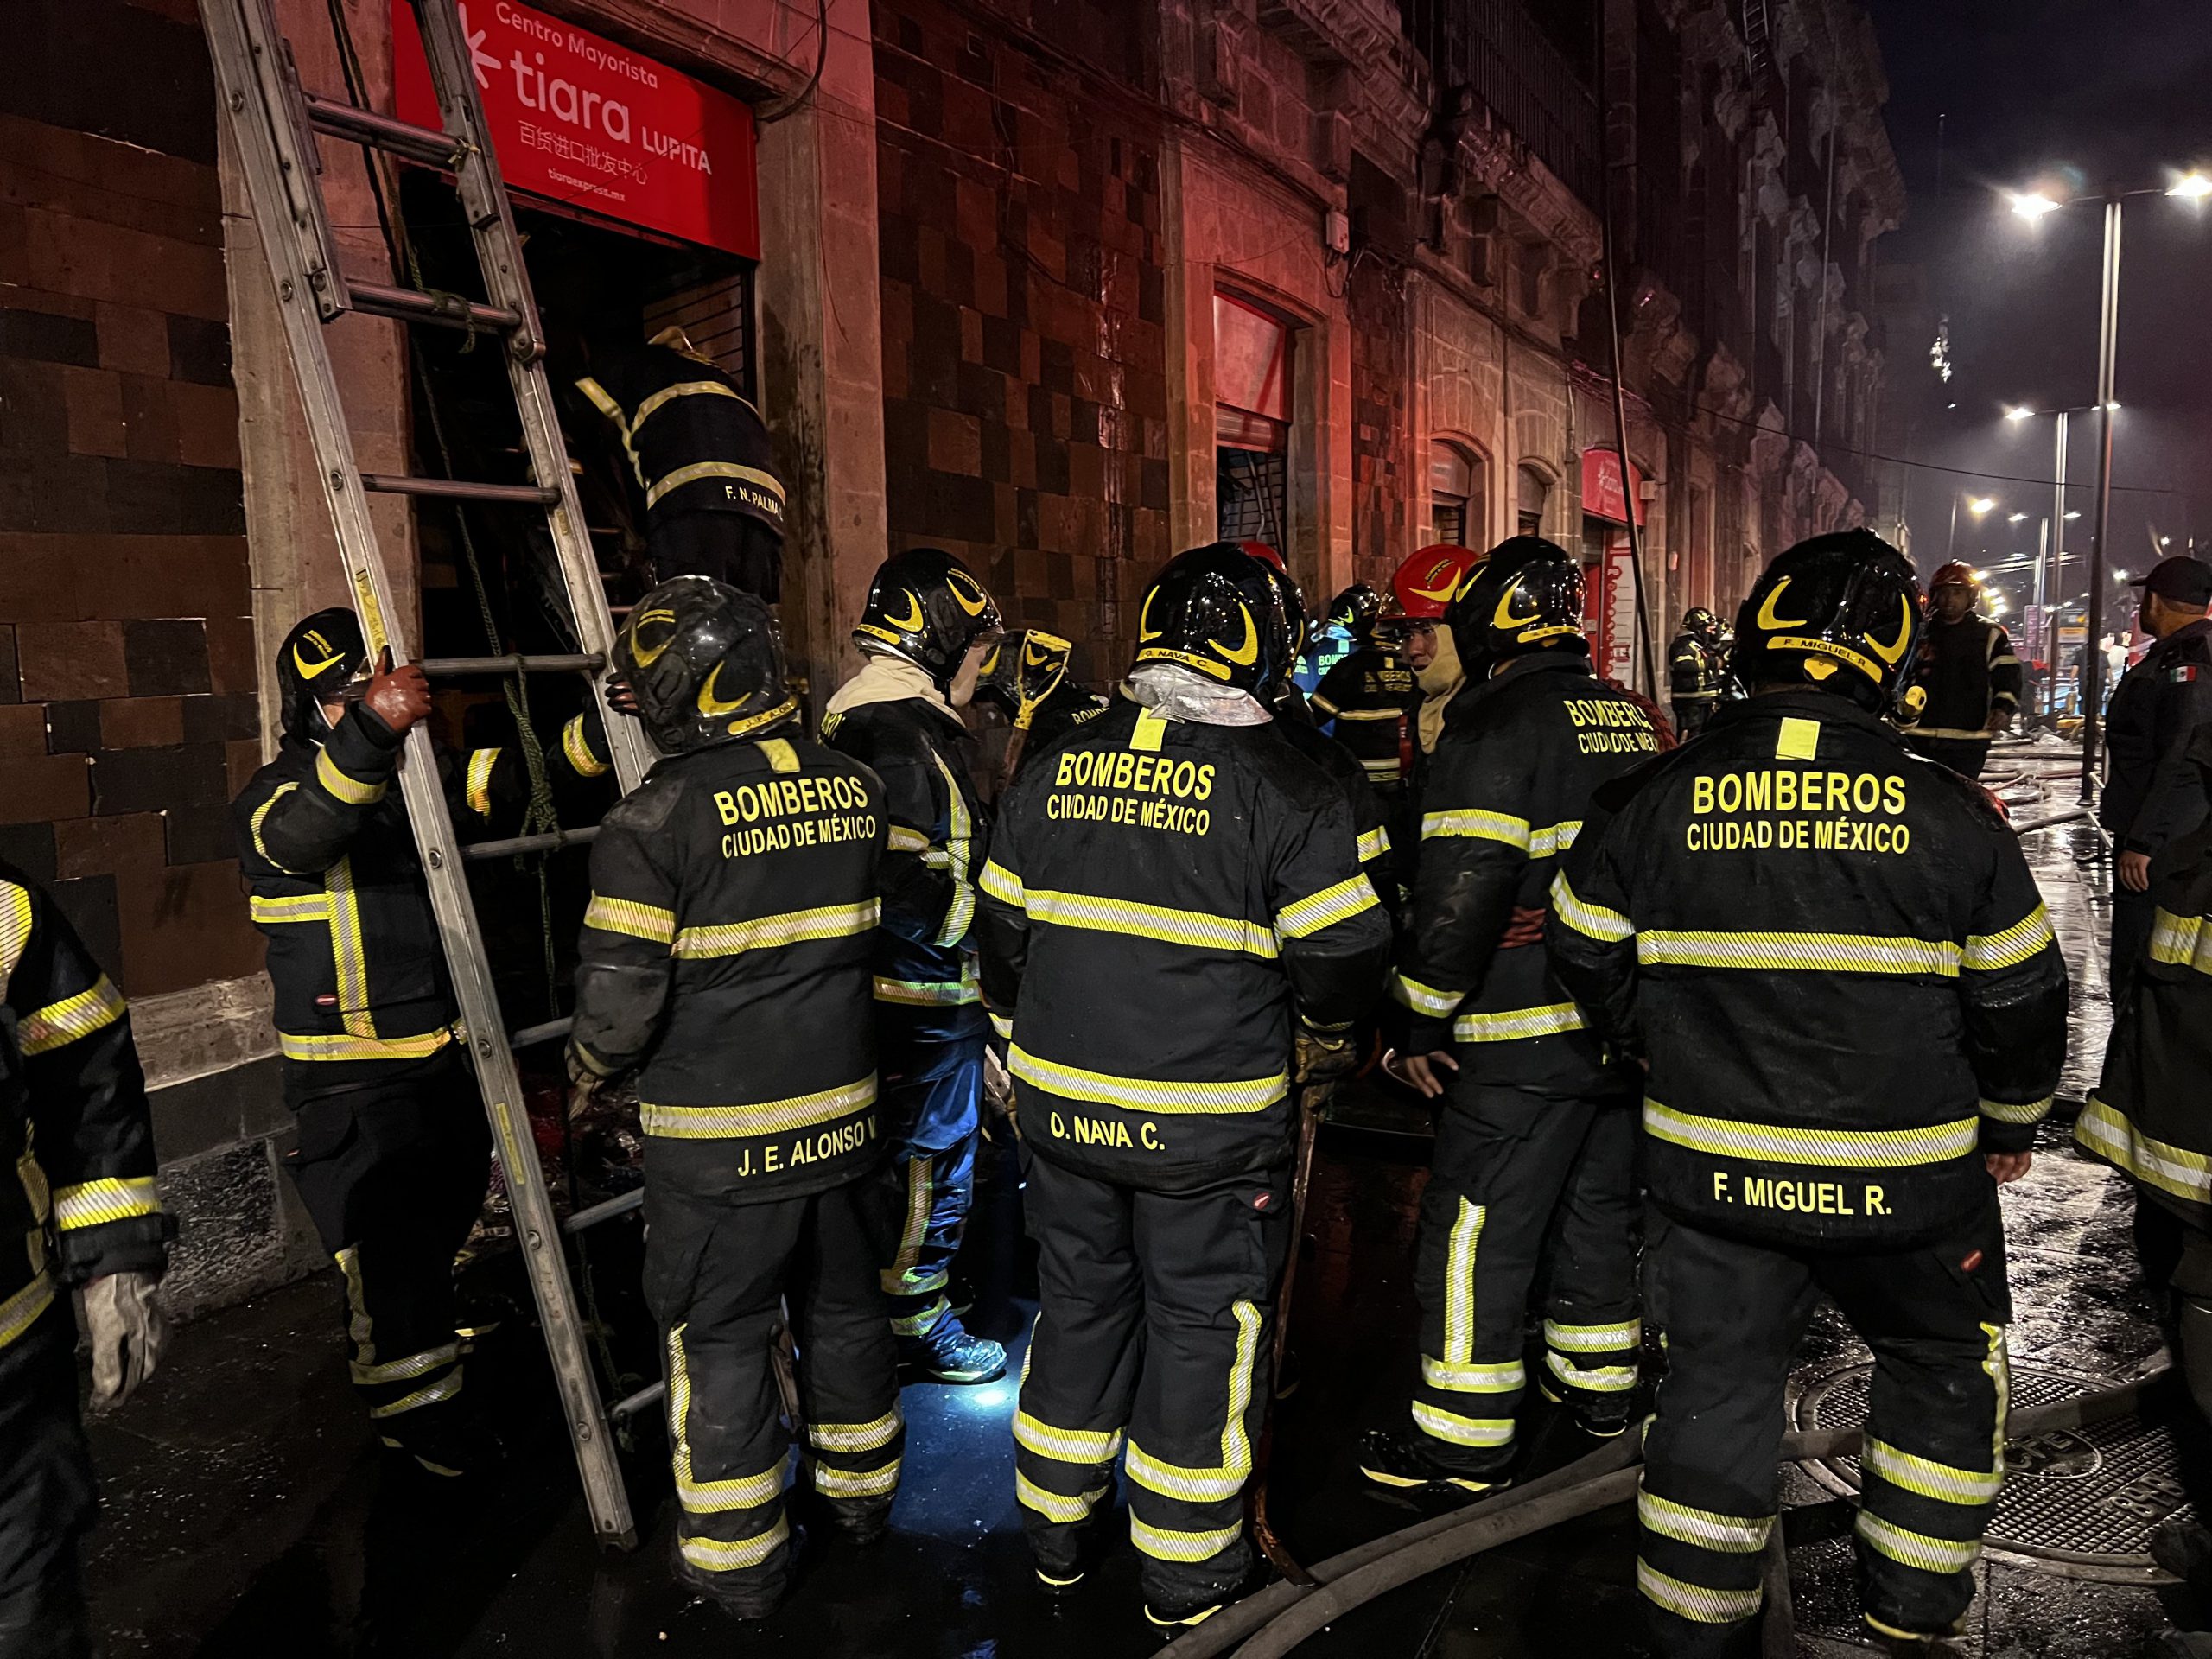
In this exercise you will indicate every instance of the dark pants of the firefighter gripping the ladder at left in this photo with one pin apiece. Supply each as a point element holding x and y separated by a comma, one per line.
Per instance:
<point>395,1176</point>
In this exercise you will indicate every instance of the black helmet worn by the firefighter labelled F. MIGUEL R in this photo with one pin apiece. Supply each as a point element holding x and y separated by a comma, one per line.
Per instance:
<point>1839,612</point>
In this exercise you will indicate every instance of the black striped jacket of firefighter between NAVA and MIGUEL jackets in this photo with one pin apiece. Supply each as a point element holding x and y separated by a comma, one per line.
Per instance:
<point>1507,795</point>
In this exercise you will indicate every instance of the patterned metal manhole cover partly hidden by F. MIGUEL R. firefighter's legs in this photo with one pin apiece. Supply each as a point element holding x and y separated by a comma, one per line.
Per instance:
<point>2080,1499</point>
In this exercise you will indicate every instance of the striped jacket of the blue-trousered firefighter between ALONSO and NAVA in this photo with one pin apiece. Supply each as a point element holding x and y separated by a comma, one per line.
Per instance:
<point>926,959</point>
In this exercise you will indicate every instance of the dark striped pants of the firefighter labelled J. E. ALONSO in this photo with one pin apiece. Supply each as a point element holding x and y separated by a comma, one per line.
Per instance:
<point>718,1280</point>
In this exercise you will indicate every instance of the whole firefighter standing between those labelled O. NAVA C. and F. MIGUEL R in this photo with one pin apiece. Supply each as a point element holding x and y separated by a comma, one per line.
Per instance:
<point>1536,1145</point>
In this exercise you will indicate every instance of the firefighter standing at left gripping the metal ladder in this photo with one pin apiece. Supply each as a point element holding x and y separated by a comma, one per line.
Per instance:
<point>393,1149</point>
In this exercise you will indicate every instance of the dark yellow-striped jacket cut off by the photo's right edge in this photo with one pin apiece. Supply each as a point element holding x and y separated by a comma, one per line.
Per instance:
<point>2151,1114</point>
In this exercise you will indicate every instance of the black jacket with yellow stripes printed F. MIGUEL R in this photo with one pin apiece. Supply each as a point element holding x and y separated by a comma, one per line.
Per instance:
<point>1837,963</point>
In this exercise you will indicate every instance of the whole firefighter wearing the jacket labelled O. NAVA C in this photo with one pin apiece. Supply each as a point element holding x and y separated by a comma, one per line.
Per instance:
<point>1165,908</point>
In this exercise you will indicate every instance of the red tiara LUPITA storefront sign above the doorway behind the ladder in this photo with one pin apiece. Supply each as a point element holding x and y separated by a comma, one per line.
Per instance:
<point>581,121</point>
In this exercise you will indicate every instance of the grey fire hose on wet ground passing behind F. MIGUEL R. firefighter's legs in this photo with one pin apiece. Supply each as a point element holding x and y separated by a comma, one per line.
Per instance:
<point>1284,1616</point>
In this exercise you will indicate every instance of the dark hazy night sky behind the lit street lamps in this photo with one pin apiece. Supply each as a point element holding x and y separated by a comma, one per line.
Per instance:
<point>2069,96</point>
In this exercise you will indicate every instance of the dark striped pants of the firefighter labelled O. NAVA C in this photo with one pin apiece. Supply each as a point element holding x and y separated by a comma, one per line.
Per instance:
<point>1156,1331</point>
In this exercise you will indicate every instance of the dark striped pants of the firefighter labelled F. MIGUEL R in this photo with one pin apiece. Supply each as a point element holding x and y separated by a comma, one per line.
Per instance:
<point>1934,1461</point>
